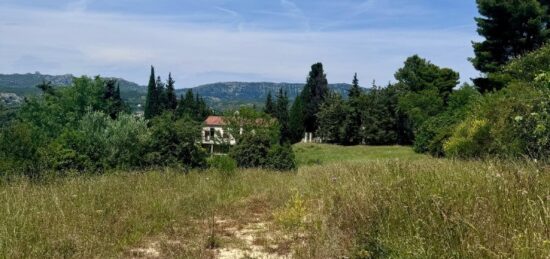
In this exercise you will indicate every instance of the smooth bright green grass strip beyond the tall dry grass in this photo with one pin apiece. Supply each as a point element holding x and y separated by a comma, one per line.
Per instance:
<point>311,154</point>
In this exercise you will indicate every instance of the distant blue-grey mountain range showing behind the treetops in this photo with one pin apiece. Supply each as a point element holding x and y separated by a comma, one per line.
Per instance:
<point>220,96</point>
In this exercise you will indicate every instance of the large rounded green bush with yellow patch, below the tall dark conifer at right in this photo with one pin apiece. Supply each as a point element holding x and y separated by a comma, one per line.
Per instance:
<point>510,123</point>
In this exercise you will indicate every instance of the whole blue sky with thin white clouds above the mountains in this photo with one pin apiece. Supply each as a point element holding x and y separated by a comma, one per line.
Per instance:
<point>207,41</point>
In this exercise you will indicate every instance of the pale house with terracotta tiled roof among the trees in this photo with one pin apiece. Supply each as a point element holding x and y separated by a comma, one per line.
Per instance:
<point>215,137</point>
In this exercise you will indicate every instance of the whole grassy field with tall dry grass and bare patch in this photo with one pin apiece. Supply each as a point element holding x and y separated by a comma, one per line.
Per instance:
<point>381,202</point>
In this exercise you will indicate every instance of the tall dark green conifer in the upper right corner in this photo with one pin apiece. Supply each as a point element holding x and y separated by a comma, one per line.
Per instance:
<point>511,28</point>
